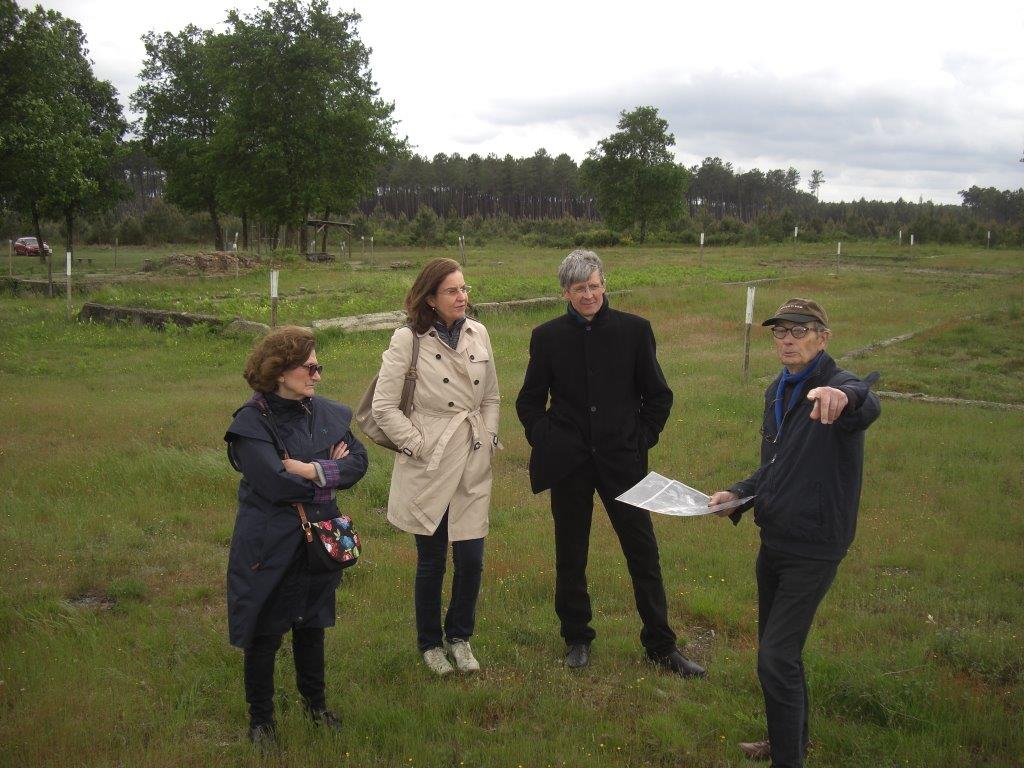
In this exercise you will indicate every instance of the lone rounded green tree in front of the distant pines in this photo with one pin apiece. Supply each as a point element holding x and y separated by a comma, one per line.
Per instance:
<point>633,176</point>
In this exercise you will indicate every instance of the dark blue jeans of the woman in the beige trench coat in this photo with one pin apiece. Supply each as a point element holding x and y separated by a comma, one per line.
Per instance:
<point>432,561</point>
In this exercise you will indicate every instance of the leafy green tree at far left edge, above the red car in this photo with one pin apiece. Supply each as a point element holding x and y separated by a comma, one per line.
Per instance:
<point>61,127</point>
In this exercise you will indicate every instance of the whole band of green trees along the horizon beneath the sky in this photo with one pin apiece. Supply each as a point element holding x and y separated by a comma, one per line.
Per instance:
<point>277,120</point>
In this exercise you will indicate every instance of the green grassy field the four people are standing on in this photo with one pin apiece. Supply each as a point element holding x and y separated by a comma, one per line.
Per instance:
<point>118,507</point>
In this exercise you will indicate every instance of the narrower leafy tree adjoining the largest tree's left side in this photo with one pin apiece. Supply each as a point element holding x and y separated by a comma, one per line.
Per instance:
<point>183,96</point>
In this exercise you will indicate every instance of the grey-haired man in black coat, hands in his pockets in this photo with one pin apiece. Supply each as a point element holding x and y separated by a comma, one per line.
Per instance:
<point>609,404</point>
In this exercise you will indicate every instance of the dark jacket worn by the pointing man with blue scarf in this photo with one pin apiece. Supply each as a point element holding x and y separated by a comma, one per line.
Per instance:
<point>807,490</point>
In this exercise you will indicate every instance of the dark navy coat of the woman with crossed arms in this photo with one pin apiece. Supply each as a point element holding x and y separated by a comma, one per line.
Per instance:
<point>270,587</point>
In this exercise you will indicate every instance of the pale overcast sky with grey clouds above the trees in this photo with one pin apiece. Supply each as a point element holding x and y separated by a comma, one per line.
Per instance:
<point>888,99</point>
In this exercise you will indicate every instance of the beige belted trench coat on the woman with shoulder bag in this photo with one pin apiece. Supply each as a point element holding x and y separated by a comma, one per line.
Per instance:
<point>451,437</point>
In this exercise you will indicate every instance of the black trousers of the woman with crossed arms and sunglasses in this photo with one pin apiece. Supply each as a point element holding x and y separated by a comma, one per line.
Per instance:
<point>308,648</point>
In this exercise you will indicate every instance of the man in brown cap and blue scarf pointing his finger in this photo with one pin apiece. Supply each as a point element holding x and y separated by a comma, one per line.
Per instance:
<point>806,494</point>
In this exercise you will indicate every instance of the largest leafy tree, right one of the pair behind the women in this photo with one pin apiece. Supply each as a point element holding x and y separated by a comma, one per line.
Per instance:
<point>306,130</point>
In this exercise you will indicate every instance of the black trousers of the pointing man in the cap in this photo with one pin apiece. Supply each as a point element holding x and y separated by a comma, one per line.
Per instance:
<point>790,590</point>
